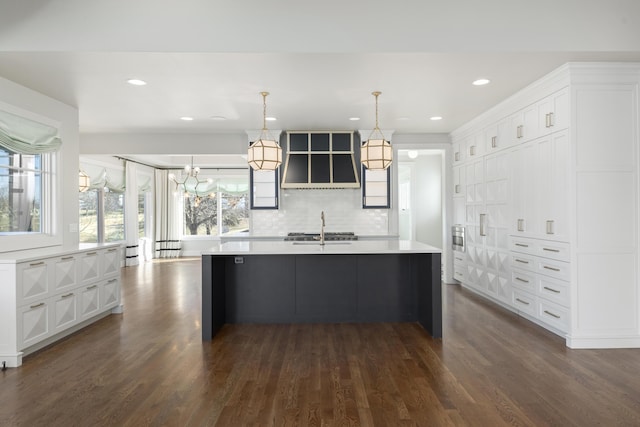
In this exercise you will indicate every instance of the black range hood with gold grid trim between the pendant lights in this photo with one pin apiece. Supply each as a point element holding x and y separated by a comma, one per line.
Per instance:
<point>320,160</point>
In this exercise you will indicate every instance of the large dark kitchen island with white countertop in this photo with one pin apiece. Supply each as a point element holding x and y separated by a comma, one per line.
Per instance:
<point>289,282</point>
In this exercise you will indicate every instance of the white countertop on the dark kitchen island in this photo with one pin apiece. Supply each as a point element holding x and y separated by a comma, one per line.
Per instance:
<point>331,247</point>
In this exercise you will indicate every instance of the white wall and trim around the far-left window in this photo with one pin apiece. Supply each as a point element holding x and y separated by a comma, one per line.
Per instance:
<point>20,100</point>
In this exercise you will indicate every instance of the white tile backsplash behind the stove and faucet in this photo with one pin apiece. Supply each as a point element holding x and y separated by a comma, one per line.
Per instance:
<point>300,212</point>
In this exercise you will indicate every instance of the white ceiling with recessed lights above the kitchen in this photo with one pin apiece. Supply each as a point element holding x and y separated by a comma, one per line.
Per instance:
<point>319,60</point>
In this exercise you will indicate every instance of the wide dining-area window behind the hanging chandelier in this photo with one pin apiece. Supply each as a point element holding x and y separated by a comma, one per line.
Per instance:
<point>226,198</point>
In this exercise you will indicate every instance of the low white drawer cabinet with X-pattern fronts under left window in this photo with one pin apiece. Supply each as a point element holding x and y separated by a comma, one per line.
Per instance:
<point>50,293</point>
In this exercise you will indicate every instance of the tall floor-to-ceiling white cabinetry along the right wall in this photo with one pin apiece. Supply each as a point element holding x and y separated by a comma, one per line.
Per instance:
<point>572,208</point>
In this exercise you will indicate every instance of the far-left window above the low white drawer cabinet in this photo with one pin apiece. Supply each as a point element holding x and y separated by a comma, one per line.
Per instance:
<point>22,178</point>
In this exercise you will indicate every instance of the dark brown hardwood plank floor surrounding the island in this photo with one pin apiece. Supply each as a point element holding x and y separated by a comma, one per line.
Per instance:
<point>150,367</point>
